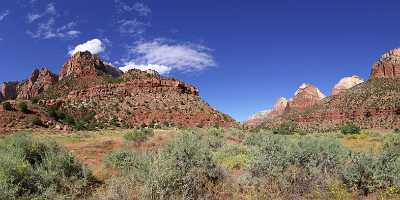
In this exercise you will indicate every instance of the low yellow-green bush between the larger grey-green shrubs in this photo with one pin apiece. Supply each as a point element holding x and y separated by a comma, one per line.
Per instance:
<point>233,156</point>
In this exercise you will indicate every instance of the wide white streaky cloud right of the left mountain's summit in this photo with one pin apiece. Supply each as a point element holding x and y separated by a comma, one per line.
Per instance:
<point>164,56</point>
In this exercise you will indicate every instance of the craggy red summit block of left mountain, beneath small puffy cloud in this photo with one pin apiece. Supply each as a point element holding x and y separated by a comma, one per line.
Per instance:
<point>84,64</point>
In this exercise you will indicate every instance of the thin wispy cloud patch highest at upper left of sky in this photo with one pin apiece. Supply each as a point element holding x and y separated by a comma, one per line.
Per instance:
<point>46,26</point>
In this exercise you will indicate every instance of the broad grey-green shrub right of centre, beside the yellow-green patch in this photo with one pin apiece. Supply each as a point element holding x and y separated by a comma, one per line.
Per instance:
<point>297,165</point>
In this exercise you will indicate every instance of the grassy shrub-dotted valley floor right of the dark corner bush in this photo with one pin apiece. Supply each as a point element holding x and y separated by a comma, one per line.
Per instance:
<point>243,164</point>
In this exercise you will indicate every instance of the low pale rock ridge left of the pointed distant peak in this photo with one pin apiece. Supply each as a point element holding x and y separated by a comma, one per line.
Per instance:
<point>276,111</point>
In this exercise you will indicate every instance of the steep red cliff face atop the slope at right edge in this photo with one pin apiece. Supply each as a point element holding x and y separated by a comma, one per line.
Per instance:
<point>388,66</point>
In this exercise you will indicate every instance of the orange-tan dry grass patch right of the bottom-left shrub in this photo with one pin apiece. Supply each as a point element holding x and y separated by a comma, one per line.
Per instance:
<point>91,147</point>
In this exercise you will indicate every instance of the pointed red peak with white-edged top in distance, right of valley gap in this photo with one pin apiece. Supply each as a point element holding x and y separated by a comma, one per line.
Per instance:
<point>306,96</point>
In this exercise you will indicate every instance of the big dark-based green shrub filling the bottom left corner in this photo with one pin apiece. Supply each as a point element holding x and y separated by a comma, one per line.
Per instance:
<point>38,169</point>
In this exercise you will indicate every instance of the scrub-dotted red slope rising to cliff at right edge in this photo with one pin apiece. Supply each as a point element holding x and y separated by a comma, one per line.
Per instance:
<point>371,104</point>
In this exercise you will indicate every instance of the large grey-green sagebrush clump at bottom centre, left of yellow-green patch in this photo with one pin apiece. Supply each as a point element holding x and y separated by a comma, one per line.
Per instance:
<point>184,169</point>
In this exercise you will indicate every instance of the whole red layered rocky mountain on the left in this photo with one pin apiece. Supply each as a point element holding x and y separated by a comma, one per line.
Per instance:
<point>87,85</point>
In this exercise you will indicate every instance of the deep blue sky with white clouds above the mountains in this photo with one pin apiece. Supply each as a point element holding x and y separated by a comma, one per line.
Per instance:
<point>242,55</point>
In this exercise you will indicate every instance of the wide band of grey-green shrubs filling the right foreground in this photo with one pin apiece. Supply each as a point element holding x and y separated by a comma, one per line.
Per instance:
<point>298,165</point>
